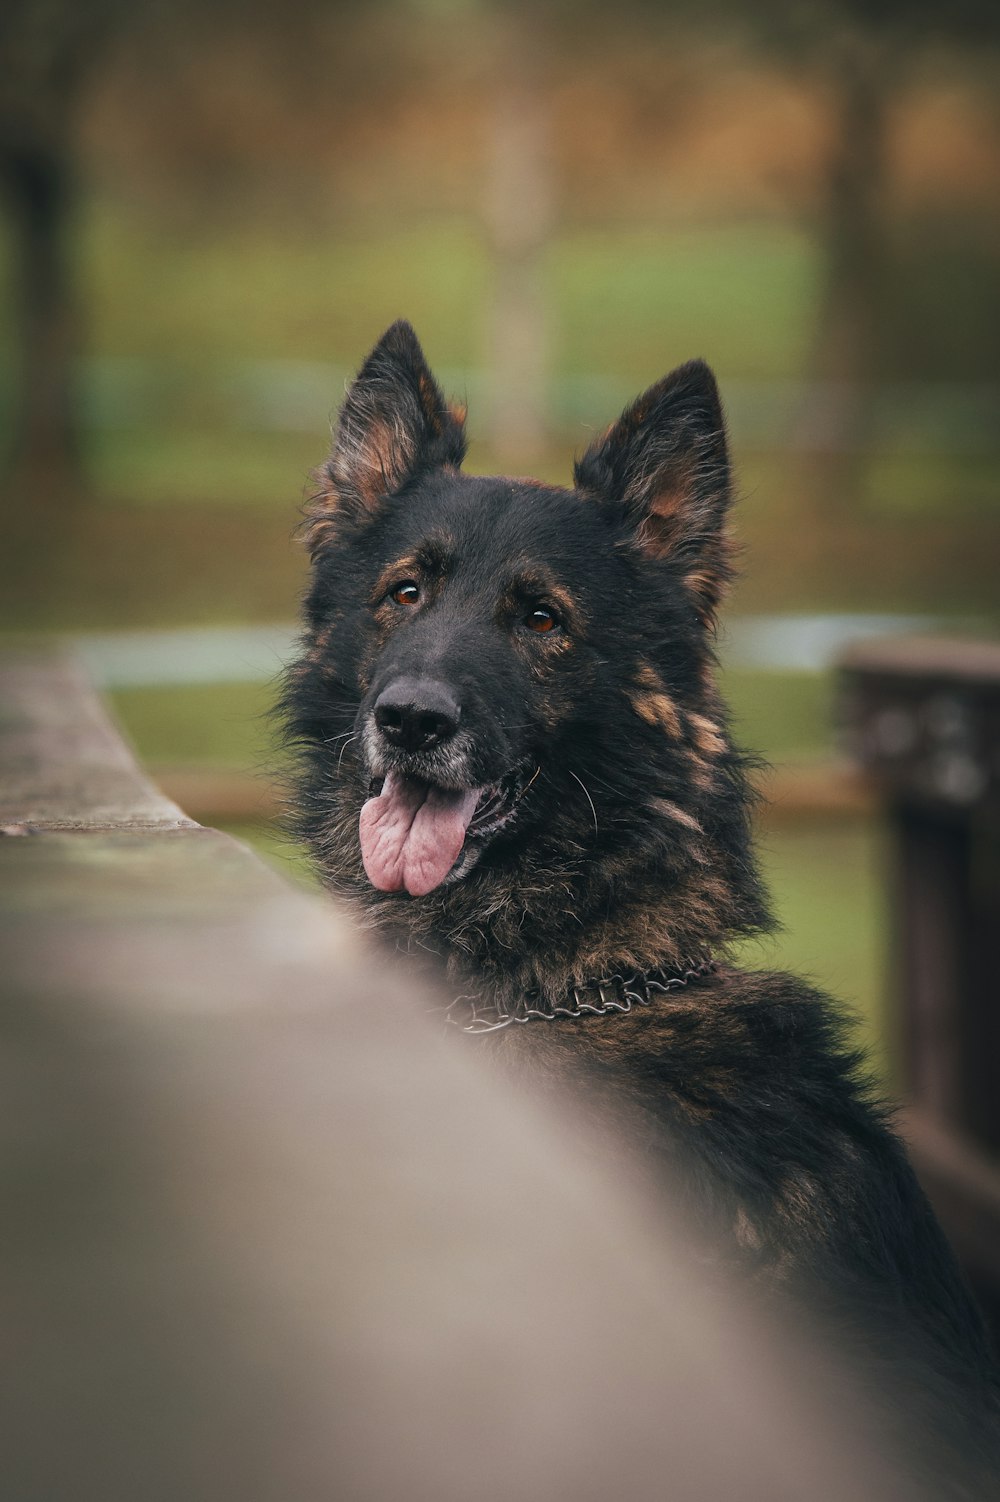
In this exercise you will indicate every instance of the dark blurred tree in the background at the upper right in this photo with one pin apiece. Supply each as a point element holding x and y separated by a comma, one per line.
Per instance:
<point>861,52</point>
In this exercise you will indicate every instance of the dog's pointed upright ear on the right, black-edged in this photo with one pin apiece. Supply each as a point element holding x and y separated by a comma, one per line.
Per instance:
<point>664,466</point>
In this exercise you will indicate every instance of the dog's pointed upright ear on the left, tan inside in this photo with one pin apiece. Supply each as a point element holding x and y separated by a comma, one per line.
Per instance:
<point>394,424</point>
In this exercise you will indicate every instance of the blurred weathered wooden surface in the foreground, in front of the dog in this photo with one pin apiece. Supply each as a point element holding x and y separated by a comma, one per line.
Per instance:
<point>271,1238</point>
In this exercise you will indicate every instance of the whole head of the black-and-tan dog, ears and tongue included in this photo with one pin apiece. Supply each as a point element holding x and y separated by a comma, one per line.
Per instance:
<point>495,663</point>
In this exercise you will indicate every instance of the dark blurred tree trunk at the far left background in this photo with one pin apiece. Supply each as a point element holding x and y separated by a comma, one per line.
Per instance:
<point>49,50</point>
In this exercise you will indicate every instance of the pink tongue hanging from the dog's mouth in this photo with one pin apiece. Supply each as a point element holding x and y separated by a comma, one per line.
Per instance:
<point>412,834</point>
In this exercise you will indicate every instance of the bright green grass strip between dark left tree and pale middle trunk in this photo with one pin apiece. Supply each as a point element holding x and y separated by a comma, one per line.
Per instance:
<point>252,292</point>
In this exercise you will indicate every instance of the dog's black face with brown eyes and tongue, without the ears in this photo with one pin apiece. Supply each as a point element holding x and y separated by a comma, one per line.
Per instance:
<point>475,651</point>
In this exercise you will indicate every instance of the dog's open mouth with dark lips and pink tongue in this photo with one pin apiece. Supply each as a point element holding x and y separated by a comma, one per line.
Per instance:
<point>414,833</point>
